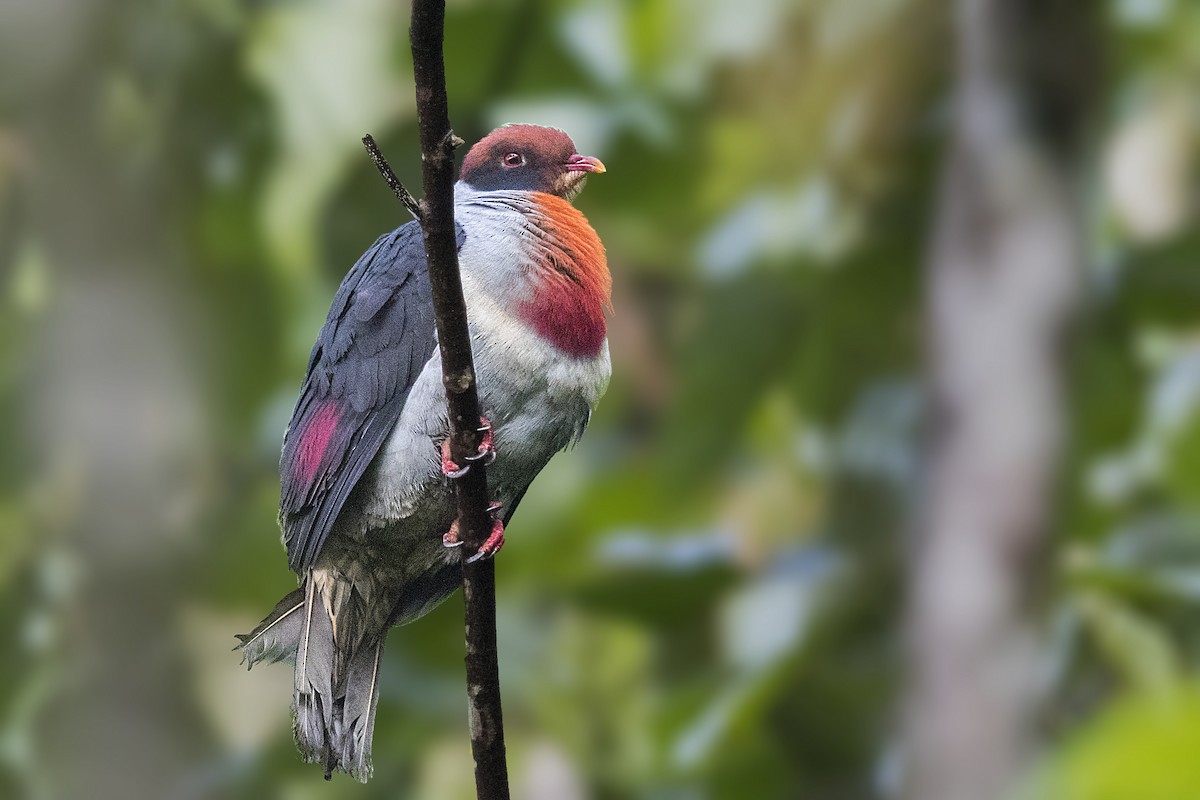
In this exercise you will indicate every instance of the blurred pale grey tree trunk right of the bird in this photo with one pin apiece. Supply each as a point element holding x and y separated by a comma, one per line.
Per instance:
<point>1005,275</point>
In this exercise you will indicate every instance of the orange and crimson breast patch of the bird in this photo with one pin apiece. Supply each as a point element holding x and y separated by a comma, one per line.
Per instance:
<point>573,286</point>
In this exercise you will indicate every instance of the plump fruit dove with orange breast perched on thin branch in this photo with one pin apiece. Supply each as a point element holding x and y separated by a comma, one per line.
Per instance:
<point>368,503</point>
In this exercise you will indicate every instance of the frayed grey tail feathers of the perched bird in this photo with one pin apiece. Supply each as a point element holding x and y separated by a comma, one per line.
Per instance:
<point>337,682</point>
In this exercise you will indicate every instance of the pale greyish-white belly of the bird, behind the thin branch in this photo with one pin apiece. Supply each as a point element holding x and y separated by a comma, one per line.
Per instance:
<point>388,542</point>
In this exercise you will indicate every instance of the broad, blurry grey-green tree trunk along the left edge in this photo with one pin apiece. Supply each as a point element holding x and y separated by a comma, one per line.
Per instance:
<point>112,417</point>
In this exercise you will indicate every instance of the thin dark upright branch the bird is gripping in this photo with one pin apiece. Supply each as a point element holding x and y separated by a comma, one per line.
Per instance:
<point>439,143</point>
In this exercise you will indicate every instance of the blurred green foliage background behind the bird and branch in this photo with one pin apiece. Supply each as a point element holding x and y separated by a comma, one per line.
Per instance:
<point>703,599</point>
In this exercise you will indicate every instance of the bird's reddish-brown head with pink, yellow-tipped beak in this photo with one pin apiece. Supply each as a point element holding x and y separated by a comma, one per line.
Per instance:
<point>529,158</point>
